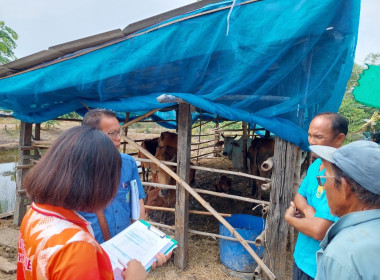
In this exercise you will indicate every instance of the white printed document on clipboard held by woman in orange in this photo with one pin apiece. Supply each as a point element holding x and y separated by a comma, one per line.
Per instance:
<point>140,241</point>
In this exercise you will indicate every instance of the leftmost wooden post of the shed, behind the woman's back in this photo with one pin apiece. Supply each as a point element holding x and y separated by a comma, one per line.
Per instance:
<point>23,159</point>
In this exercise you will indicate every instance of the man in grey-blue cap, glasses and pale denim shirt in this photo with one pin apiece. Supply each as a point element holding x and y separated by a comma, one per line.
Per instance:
<point>351,247</point>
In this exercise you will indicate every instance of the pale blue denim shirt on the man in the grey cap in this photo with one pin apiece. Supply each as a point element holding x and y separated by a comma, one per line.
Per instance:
<point>351,248</point>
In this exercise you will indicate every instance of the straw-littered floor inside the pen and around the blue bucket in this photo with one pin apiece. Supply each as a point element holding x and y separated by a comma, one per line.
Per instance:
<point>203,252</point>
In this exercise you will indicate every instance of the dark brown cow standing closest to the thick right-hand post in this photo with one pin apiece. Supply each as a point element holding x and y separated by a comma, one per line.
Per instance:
<point>260,152</point>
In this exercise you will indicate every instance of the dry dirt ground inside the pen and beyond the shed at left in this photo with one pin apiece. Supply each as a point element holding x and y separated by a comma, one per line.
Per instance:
<point>204,262</point>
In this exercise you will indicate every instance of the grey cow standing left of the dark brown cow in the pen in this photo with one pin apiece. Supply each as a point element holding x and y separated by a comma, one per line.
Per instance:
<point>233,149</point>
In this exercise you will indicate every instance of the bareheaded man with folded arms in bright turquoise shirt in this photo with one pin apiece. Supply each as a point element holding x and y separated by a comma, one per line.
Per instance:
<point>310,214</point>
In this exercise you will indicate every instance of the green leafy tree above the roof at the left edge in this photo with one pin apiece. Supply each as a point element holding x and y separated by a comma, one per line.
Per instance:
<point>7,43</point>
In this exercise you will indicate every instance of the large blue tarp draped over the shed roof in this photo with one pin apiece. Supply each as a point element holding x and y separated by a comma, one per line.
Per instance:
<point>281,63</point>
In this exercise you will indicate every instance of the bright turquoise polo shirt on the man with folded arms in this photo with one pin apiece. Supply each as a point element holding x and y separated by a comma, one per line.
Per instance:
<point>307,247</point>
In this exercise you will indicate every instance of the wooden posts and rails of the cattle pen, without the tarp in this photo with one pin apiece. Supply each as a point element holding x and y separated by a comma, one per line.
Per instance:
<point>32,143</point>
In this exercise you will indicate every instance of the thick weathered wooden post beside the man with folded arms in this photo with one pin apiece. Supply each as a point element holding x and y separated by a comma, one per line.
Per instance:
<point>281,194</point>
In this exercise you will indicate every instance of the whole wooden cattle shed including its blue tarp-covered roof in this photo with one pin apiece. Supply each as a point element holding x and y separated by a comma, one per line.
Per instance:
<point>167,68</point>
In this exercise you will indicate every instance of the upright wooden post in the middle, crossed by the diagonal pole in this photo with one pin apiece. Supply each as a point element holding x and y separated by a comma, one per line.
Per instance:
<point>183,171</point>
